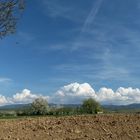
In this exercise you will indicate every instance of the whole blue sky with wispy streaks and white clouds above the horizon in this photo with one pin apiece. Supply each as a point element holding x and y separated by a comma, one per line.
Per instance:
<point>67,50</point>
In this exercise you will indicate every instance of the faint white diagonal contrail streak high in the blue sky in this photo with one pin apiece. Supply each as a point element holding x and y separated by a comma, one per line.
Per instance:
<point>92,15</point>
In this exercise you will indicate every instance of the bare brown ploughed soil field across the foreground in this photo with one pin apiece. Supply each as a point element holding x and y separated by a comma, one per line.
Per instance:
<point>95,127</point>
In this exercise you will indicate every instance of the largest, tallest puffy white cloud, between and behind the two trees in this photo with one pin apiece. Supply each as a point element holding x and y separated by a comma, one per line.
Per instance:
<point>73,93</point>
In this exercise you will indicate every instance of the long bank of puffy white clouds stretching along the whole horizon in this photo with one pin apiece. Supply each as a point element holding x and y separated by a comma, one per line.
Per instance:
<point>75,93</point>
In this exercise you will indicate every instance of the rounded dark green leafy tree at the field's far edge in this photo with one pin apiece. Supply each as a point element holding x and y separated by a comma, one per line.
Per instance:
<point>91,106</point>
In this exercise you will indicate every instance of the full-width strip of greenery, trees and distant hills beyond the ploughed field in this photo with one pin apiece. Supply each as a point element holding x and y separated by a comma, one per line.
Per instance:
<point>40,107</point>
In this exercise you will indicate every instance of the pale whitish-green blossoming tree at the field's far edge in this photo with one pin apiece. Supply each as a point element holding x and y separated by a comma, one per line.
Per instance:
<point>39,106</point>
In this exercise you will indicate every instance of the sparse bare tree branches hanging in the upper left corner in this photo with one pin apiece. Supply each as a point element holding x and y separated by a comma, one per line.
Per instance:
<point>9,12</point>
